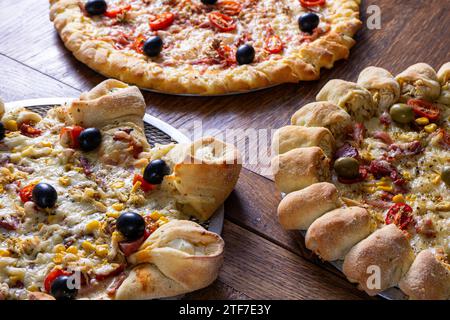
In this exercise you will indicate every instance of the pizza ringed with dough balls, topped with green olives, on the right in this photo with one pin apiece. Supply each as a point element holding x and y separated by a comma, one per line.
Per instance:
<point>366,171</point>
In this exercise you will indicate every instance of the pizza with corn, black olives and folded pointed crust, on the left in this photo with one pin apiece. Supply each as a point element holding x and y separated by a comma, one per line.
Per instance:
<point>89,210</point>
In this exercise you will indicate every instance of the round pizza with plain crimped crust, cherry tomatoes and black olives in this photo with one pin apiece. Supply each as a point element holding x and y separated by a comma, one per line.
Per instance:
<point>207,46</point>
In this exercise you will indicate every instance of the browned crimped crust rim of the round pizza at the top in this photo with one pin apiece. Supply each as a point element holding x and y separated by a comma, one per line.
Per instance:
<point>302,64</point>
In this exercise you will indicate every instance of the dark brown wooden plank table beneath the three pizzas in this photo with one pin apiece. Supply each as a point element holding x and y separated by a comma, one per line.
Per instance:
<point>262,261</point>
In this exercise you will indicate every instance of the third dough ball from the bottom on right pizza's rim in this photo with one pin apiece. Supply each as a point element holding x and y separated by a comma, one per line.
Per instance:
<point>332,235</point>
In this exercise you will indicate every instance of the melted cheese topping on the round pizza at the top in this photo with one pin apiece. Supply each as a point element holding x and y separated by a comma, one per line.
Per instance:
<point>190,38</point>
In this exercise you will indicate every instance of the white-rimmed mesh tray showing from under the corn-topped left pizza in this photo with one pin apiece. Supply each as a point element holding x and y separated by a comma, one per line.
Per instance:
<point>156,131</point>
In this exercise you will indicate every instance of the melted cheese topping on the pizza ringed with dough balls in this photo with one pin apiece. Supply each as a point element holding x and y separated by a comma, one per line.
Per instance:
<point>425,192</point>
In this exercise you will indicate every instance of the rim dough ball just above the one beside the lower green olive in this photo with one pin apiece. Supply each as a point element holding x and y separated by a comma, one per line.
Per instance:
<point>291,137</point>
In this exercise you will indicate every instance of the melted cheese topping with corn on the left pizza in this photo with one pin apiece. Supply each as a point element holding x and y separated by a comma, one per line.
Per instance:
<point>78,234</point>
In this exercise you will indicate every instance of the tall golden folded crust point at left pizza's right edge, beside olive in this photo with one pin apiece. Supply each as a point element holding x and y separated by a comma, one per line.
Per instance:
<point>204,174</point>
